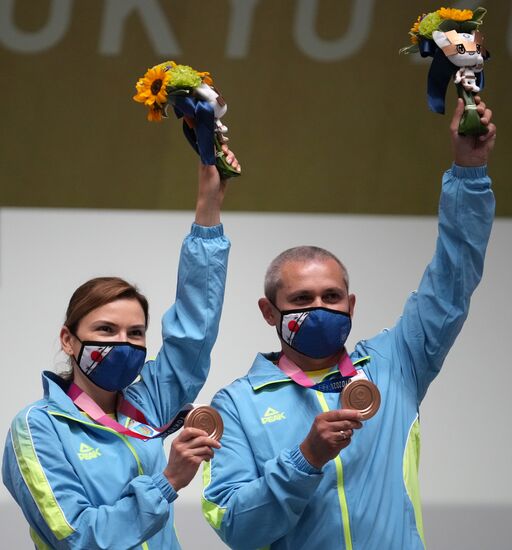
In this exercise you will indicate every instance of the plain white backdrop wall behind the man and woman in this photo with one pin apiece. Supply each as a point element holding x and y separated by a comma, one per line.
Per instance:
<point>466,443</point>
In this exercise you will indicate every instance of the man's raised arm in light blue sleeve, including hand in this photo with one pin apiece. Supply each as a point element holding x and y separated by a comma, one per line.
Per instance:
<point>435,313</point>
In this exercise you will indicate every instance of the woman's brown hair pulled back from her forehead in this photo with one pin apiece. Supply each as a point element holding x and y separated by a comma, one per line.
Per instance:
<point>98,292</point>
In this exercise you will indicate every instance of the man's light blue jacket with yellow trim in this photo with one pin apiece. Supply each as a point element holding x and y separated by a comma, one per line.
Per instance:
<point>259,491</point>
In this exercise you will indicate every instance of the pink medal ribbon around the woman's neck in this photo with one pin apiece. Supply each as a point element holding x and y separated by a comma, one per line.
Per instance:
<point>92,409</point>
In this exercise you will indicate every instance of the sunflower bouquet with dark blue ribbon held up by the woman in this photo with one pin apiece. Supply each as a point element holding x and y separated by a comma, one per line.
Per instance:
<point>193,98</point>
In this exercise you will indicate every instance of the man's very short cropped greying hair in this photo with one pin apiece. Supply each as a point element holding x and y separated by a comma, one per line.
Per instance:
<point>273,280</point>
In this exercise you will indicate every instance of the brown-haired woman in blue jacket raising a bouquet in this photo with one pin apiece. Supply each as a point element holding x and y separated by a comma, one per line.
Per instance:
<point>75,461</point>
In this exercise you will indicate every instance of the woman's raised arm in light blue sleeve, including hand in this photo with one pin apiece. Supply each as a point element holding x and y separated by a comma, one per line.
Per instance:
<point>190,326</point>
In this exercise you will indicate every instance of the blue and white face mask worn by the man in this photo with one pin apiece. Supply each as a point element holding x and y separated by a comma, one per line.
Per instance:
<point>316,332</point>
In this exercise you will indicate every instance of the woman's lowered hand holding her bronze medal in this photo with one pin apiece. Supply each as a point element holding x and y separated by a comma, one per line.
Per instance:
<point>188,450</point>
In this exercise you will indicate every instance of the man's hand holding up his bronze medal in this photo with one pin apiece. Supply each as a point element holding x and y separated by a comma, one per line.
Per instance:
<point>330,433</point>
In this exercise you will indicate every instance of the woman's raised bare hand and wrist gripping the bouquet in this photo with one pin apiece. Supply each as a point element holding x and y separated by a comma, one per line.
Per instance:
<point>211,191</point>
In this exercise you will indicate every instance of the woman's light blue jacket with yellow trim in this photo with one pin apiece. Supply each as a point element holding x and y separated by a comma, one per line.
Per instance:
<point>81,485</point>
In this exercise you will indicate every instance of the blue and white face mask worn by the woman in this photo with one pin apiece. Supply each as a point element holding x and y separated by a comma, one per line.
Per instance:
<point>112,366</point>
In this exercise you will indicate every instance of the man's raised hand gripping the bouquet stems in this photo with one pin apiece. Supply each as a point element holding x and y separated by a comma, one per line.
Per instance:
<point>472,150</point>
